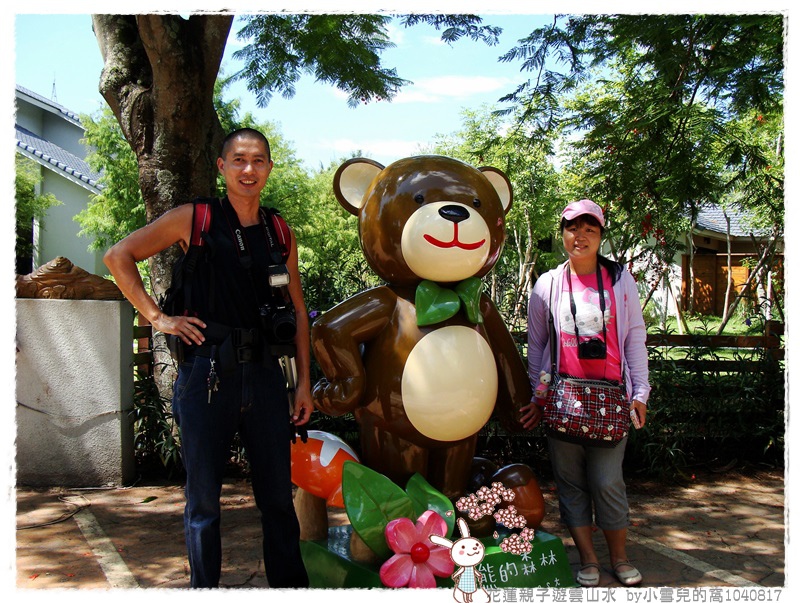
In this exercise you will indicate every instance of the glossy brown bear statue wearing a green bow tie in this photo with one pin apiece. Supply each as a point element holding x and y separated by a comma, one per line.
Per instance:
<point>424,361</point>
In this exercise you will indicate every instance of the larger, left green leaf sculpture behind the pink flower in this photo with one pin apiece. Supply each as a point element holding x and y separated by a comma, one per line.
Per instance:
<point>371,501</point>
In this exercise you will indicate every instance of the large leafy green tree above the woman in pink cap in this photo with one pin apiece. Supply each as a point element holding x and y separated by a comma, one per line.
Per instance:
<point>655,109</point>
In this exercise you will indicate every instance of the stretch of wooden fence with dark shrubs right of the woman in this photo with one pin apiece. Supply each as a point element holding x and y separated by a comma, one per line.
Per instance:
<point>715,400</point>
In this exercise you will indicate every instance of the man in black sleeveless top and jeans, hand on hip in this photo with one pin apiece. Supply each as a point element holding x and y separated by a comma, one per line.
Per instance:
<point>214,398</point>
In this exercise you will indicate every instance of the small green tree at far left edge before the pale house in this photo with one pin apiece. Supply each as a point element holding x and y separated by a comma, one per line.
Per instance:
<point>29,207</point>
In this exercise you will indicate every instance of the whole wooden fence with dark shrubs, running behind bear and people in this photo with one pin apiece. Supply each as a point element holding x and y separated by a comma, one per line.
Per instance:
<point>713,396</point>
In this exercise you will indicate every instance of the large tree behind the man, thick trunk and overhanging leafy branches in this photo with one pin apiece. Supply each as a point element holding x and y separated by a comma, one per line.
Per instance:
<point>160,71</point>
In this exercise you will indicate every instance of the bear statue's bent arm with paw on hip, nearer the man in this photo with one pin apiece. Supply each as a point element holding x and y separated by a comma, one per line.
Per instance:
<point>335,340</point>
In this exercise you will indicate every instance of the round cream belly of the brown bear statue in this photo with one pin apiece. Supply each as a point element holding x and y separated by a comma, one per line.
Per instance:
<point>449,384</point>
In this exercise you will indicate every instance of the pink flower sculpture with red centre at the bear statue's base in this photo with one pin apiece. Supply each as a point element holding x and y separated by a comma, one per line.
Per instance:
<point>416,560</point>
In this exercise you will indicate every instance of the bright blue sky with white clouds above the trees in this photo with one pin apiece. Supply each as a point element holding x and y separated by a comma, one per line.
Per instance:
<point>57,56</point>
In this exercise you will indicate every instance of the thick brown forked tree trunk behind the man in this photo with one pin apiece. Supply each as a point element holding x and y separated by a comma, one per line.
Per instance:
<point>158,79</point>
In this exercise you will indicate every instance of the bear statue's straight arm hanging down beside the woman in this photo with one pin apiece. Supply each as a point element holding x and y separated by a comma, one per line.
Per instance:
<point>513,386</point>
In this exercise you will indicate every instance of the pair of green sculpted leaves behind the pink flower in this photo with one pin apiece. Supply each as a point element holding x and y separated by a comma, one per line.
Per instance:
<point>372,500</point>
